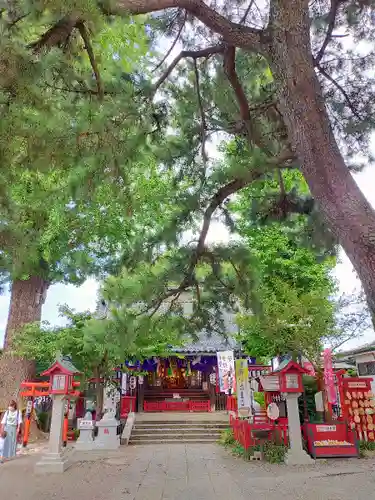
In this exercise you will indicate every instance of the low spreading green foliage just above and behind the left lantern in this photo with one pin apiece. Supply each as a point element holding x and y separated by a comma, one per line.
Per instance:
<point>96,346</point>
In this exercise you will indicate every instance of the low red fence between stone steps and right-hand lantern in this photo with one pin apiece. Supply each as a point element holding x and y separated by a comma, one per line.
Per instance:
<point>245,433</point>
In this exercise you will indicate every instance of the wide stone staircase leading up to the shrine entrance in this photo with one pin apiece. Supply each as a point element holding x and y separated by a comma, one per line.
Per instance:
<point>177,431</point>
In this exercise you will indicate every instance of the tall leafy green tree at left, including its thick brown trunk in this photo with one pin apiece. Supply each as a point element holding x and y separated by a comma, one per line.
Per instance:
<point>69,157</point>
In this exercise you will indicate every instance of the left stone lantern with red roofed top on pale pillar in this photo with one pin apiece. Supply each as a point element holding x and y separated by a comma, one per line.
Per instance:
<point>61,374</point>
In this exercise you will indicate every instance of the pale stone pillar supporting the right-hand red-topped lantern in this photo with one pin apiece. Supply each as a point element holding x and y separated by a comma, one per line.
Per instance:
<point>296,455</point>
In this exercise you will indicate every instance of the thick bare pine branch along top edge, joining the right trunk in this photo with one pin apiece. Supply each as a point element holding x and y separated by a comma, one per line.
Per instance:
<point>232,33</point>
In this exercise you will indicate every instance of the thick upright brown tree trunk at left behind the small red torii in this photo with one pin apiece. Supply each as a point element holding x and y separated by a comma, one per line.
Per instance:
<point>26,303</point>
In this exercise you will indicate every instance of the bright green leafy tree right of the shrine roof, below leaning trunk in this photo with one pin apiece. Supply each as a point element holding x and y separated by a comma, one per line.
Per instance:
<point>295,312</point>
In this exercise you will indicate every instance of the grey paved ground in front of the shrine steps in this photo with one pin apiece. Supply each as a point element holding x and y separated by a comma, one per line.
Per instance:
<point>186,472</point>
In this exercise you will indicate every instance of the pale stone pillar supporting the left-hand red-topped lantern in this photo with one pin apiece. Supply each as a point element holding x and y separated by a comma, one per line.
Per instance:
<point>54,461</point>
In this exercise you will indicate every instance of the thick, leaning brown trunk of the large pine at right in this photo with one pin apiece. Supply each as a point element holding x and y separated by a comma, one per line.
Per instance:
<point>348,213</point>
